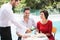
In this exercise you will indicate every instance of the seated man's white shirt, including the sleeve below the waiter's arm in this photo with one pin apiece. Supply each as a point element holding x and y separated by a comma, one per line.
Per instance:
<point>27,25</point>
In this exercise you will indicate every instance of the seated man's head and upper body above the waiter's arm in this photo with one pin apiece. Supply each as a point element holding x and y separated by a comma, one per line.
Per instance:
<point>29,22</point>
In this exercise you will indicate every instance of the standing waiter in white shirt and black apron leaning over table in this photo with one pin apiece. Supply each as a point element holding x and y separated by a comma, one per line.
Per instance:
<point>6,16</point>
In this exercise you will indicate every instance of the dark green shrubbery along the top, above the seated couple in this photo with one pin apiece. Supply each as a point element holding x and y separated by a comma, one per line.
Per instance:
<point>40,4</point>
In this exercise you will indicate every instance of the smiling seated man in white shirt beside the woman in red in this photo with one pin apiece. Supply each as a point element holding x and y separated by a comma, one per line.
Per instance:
<point>26,22</point>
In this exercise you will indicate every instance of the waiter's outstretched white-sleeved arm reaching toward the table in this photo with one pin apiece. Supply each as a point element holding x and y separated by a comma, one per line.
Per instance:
<point>9,15</point>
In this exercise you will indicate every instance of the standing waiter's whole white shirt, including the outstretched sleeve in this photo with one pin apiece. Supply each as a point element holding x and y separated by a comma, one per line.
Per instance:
<point>6,15</point>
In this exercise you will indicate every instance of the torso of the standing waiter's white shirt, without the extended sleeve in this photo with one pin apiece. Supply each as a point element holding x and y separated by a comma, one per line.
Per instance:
<point>5,14</point>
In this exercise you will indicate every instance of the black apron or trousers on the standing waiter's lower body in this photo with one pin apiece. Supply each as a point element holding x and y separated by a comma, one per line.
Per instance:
<point>5,33</point>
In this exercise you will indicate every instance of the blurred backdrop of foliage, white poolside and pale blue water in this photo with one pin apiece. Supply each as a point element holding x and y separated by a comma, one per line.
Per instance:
<point>52,6</point>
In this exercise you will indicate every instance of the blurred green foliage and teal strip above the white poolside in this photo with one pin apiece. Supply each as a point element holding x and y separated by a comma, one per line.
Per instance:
<point>53,6</point>
